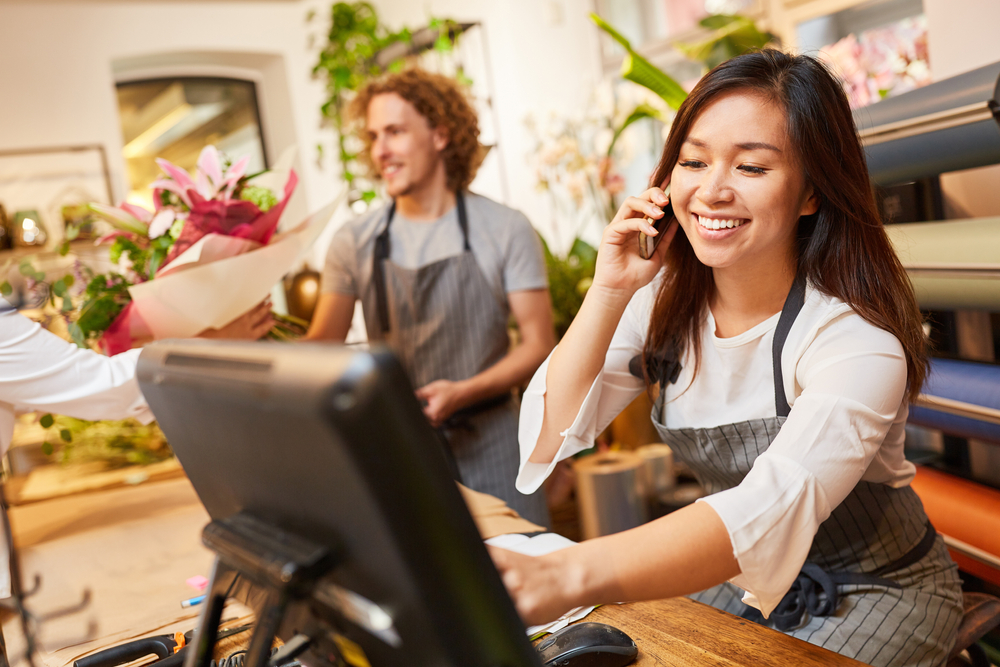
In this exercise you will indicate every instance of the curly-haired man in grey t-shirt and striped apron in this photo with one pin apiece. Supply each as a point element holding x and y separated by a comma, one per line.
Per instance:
<point>439,271</point>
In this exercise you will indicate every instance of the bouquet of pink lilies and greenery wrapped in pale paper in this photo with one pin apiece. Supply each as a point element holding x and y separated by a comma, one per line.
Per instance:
<point>206,254</point>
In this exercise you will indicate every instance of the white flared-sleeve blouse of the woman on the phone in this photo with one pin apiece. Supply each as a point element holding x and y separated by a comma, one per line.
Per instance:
<point>845,381</point>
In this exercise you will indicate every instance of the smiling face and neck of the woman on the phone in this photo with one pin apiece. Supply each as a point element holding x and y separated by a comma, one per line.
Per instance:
<point>739,192</point>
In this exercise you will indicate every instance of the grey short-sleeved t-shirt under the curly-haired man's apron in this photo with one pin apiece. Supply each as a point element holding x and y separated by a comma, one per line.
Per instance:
<point>505,245</point>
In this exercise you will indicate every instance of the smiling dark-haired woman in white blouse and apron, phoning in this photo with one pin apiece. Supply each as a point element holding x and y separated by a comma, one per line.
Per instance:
<point>785,340</point>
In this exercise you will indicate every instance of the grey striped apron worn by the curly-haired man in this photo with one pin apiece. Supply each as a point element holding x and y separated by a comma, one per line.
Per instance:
<point>444,322</point>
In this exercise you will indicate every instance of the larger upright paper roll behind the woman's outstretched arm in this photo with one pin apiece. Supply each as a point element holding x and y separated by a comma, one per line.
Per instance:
<point>611,492</point>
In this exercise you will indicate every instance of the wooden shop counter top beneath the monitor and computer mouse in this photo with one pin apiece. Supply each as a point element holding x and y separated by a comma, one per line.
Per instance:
<point>133,547</point>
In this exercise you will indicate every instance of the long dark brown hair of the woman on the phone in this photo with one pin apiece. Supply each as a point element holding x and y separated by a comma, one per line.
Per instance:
<point>842,249</point>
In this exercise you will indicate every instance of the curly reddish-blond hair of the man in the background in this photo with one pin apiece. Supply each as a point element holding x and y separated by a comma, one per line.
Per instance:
<point>443,103</point>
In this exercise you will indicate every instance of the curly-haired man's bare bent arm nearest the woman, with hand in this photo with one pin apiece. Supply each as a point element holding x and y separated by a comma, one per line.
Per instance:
<point>532,310</point>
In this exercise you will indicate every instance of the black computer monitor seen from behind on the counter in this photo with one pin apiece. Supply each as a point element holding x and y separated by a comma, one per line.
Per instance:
<point>329,444</point>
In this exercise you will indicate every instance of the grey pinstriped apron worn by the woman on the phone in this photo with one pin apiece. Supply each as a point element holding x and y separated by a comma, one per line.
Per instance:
<point>878,584</point>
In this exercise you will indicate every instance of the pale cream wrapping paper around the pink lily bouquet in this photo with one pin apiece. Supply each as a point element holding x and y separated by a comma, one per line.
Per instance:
<point>213,294</point>
